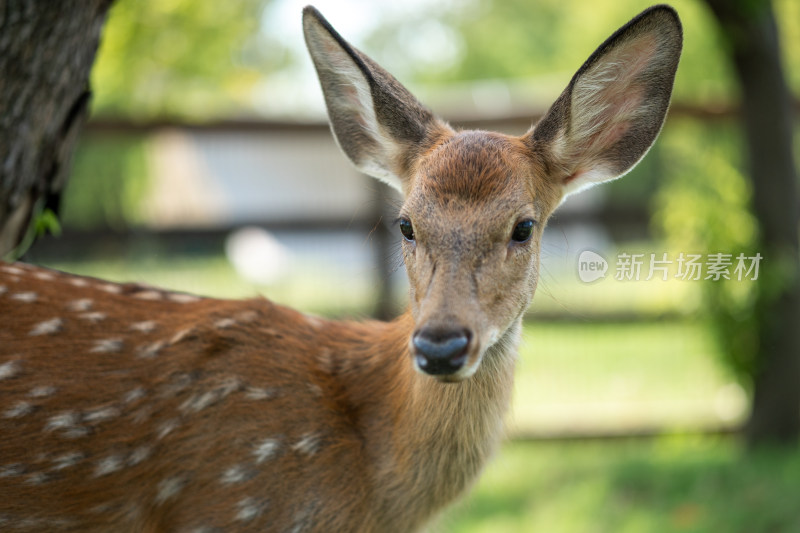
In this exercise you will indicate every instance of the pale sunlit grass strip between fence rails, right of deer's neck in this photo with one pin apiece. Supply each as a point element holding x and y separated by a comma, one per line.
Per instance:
<point>609,377</point>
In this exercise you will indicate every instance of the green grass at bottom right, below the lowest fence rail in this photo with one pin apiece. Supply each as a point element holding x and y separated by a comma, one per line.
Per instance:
<point>678,484</point>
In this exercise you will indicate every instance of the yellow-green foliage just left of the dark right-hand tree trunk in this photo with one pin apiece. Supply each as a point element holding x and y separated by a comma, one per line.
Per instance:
<point>703,207</point>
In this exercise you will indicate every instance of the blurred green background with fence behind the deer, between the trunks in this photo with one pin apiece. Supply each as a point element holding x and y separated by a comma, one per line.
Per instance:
<point>207,166</point>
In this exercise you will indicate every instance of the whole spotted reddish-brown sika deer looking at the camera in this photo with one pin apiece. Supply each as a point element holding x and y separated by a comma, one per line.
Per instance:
<point>125,408</point>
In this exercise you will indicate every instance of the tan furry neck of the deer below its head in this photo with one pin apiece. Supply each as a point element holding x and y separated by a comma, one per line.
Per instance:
<point>427,441</point>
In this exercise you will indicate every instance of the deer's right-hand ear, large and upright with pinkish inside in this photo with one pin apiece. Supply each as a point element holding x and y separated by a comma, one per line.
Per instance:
<point>613,108</point>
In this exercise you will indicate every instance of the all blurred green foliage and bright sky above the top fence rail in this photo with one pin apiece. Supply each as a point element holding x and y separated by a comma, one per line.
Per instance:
<point>200,58</point>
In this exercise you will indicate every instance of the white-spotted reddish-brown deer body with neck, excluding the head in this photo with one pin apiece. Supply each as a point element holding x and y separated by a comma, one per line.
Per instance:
<point>183,413</point>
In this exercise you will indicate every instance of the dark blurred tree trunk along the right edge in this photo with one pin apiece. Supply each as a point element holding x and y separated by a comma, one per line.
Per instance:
<point>750,29</point>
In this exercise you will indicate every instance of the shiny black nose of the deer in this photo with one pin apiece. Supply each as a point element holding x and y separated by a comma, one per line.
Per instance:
<point>441,352</point>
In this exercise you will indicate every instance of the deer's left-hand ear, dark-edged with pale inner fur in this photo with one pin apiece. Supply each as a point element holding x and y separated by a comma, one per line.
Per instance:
<point>378,124</point>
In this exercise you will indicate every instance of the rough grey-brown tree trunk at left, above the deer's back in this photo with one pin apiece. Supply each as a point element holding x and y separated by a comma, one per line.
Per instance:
<point>46,52</point>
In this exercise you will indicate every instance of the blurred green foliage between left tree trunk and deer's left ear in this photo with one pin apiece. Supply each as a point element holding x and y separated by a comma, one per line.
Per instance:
<point>181,58</point>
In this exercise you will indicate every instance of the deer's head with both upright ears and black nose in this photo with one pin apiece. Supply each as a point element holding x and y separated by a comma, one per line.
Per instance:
<point>476,202</point>
